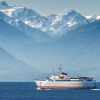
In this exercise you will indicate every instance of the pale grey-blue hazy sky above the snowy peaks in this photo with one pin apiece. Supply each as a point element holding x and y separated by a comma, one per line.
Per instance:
<point>47,7</point>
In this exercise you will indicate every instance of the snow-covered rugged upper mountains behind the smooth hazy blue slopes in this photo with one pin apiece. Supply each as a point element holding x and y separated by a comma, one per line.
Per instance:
<point>52,25</point>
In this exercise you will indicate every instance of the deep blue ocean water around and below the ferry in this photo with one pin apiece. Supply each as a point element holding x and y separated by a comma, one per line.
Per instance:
<point>28,91</point>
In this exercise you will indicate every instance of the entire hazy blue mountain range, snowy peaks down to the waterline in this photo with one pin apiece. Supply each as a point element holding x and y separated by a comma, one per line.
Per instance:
<point>31,44</point>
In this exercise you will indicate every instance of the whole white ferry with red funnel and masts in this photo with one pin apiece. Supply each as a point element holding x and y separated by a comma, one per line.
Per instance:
<point>63,81</point>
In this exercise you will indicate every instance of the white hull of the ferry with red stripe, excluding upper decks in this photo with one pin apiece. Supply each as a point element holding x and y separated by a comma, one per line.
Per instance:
<point>66,84</point>
